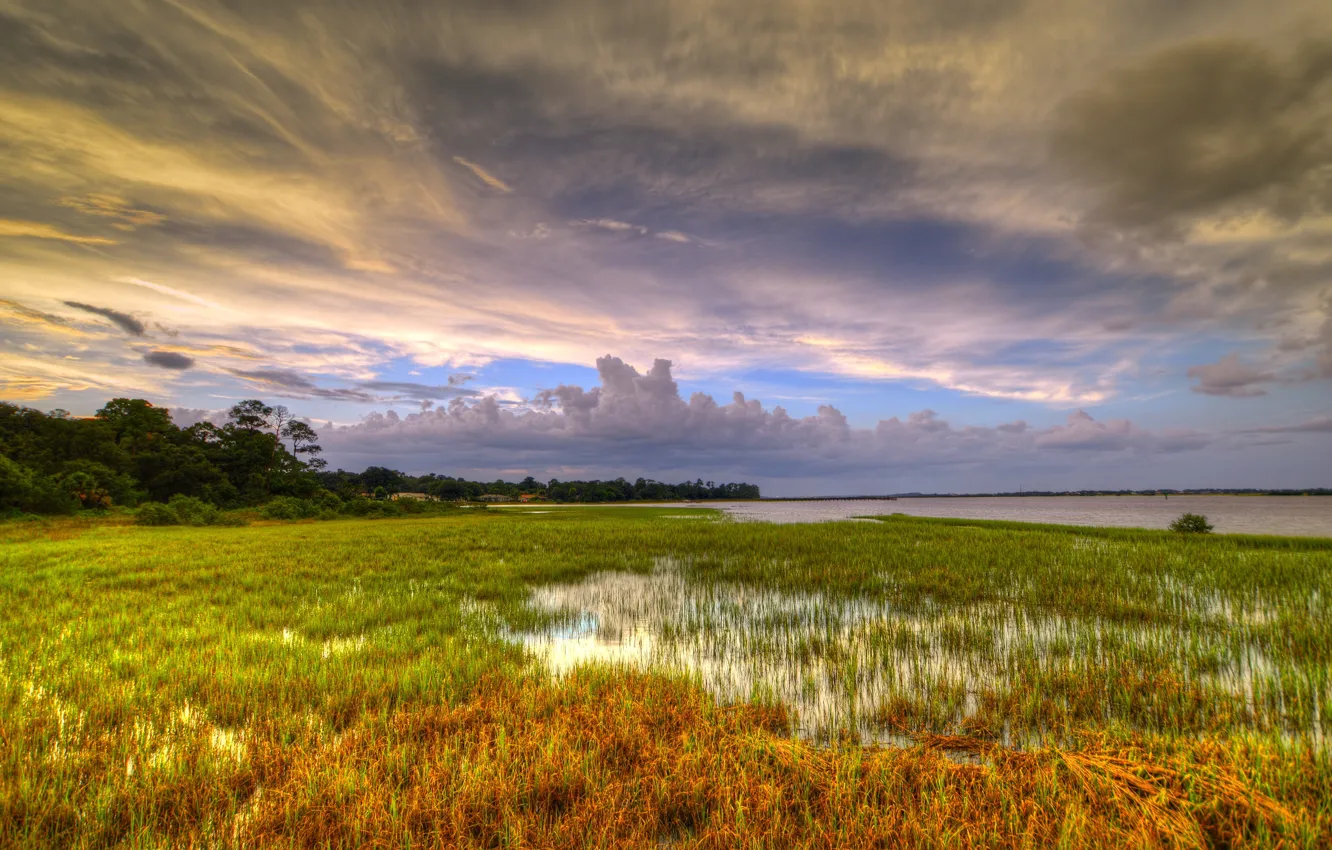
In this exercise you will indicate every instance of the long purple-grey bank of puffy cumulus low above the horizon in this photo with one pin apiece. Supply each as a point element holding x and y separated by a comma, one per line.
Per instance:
<point>639,420</point>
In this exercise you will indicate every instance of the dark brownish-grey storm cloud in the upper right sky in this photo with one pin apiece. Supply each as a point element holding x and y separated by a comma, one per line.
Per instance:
<point>1205,127</point>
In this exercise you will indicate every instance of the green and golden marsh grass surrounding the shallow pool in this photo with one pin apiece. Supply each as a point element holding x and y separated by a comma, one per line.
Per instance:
<point>351,684</point>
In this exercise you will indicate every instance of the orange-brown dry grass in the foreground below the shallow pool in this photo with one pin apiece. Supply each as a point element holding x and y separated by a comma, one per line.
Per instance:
<point>641,761</point>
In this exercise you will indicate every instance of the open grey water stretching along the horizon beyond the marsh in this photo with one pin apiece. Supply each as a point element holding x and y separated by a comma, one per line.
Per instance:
<point>1302,516</point>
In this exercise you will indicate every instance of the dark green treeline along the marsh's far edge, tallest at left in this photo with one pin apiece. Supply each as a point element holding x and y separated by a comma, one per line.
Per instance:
<point>133,454</point>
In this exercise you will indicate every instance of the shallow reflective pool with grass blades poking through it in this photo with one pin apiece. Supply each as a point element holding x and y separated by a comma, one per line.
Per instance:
<point>874,669</point>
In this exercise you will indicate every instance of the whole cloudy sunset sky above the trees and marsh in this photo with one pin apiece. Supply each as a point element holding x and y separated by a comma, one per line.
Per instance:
<point>823,246</point>
